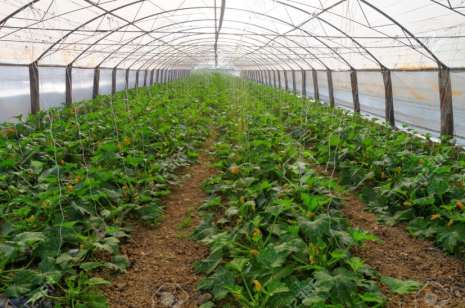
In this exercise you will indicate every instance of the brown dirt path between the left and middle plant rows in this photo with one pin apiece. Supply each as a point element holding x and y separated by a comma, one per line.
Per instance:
<point>162,257</point>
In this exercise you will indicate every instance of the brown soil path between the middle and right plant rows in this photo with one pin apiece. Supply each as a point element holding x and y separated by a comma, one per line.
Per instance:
<point>399,255</point>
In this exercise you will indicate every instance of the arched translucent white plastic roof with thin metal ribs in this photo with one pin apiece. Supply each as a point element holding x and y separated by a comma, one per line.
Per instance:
<point>244,34</point>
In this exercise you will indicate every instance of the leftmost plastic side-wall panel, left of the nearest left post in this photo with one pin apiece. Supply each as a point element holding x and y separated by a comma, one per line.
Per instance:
<point>14,92</point>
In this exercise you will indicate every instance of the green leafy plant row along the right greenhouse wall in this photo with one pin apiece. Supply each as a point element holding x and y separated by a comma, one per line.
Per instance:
<point>402,177</point>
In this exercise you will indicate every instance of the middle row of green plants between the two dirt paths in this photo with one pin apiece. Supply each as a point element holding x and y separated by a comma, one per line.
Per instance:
<point>274,228</point>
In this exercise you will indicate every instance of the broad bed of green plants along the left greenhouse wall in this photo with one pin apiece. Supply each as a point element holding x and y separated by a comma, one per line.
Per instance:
<point>71,179</point>
